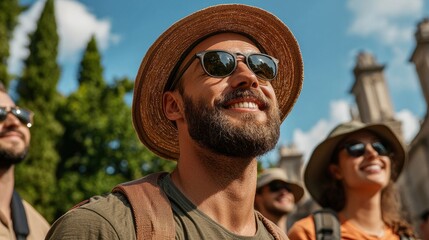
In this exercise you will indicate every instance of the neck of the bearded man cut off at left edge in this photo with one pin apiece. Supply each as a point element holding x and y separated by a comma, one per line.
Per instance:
<point>7,182</point>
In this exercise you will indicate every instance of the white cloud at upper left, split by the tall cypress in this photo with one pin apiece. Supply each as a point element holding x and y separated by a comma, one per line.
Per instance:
<point>75,27</point>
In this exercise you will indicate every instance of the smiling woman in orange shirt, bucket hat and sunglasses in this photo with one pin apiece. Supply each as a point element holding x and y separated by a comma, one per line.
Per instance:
<point>353,172</point>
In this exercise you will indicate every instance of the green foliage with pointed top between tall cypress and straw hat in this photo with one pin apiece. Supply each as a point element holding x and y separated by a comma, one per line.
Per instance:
<point>99,148</point>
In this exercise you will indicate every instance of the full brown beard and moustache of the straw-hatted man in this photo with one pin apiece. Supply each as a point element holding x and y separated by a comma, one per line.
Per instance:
<point>210,128</point>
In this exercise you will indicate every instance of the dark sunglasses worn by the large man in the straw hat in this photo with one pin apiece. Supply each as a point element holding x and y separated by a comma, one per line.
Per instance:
<point>219,63</point>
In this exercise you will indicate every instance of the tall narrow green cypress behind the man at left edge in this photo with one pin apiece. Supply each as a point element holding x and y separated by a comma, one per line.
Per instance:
<point>37,90</point>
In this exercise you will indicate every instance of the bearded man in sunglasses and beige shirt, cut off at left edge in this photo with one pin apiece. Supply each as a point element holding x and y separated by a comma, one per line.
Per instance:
<point>15,123</point>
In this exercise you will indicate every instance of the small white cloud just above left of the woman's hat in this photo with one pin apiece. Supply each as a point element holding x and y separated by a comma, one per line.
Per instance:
<point>307,141</point>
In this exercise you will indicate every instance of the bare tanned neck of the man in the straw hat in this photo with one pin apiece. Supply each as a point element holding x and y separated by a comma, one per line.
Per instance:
<point>216,184</point>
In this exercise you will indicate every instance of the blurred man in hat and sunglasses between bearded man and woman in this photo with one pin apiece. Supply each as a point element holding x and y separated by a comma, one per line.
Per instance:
<point>276,195</point>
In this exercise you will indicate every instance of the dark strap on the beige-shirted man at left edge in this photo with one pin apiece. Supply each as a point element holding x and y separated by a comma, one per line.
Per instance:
<point>19,219</point>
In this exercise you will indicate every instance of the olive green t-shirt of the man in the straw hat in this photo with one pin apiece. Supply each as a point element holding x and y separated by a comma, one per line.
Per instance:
<point>110,217</point>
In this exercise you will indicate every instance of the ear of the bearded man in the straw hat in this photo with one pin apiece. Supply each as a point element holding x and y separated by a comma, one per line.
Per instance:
<point>172,105</point>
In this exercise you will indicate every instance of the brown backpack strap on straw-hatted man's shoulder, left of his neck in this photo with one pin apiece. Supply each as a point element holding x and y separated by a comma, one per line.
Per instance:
<point>151,208</point>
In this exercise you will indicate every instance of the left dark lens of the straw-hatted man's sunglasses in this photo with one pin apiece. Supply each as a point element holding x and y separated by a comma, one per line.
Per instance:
<point>218,64</point>
